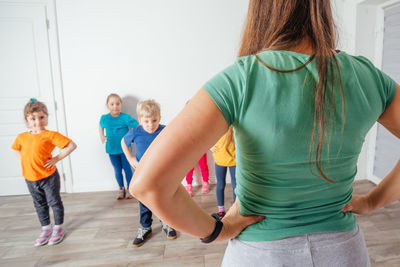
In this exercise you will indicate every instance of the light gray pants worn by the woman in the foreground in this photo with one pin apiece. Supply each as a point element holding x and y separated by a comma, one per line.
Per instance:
<point>333,249</point>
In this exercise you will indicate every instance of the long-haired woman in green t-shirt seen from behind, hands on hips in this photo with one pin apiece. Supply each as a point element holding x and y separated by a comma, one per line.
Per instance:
<point>300,112</point>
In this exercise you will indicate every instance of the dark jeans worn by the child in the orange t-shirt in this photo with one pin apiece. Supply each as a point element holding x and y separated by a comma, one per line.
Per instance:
<point>46,193</point>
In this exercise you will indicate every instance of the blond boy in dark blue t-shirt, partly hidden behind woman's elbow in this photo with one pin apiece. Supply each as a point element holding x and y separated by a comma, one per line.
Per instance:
<point>143,135</point>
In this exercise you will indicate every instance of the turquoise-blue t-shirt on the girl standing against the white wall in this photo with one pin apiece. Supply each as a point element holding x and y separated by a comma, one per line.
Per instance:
<point>116,128</point>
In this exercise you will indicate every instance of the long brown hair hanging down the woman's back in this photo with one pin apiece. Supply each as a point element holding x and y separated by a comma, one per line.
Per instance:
<point>284,24</point>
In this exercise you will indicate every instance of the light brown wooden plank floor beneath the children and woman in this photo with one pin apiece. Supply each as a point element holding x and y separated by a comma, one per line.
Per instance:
<point>100,232</point>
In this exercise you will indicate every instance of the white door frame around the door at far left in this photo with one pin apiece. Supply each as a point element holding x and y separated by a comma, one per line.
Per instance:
<point>56,76</point>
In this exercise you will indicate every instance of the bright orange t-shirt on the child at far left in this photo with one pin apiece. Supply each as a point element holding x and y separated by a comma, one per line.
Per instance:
<point>35,150</point>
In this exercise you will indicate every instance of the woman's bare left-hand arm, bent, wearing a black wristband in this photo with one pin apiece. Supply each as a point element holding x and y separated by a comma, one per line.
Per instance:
<point>159,187</point>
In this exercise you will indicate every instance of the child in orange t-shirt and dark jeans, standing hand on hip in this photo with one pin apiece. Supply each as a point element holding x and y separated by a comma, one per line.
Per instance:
<point>39,169</point>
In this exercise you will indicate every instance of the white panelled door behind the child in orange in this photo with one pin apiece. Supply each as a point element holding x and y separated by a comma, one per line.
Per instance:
<point>25,72</point>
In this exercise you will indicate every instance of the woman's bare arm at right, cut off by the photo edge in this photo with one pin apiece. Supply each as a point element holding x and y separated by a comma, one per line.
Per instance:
<point>389,189</point>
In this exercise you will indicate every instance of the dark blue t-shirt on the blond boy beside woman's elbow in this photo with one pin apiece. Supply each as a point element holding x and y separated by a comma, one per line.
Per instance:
<point>141,138</point>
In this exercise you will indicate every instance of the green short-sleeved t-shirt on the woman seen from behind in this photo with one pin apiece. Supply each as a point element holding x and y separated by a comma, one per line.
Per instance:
<point>272,116</point>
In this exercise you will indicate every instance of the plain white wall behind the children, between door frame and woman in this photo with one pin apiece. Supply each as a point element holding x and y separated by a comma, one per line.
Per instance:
<point>156,49</point>
